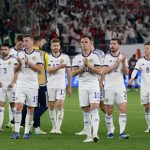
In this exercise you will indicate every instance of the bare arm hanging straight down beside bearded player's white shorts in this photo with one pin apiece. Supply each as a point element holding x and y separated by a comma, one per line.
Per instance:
<point>69,77</point>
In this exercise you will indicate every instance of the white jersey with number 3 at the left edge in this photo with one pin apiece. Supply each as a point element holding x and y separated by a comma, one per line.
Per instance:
<point>7,70</point>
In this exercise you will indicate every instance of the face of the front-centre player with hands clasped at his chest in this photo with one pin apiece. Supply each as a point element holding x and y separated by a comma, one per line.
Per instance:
<point>86,44</point>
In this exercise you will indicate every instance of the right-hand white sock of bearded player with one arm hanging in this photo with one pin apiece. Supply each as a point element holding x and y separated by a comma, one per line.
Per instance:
<point>60,116</point>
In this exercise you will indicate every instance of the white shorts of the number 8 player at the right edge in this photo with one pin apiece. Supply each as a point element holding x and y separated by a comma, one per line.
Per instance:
<point>145,96</point>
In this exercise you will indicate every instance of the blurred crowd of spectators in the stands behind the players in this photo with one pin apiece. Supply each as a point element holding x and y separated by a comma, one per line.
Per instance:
<point>126,19</point>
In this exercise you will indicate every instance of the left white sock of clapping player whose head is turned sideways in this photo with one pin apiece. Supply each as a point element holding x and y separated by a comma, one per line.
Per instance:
<point>18,117</point>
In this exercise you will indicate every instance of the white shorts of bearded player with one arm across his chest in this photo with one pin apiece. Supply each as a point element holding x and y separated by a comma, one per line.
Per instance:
<point>56,94</point>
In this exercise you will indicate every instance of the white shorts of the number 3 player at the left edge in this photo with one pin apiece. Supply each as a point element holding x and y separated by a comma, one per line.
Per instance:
<point>7,94</point>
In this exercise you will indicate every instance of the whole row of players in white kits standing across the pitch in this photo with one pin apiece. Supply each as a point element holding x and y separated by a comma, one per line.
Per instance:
<point>28,75</point>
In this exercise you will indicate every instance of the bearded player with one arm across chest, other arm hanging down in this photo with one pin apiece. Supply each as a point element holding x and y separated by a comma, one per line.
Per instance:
<point>58,63</point>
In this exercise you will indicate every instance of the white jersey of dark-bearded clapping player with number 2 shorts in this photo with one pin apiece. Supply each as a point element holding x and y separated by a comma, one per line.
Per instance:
<point>114,80</point>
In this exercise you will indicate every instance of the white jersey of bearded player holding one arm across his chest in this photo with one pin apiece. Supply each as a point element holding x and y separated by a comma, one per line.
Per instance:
<point>57,79</point>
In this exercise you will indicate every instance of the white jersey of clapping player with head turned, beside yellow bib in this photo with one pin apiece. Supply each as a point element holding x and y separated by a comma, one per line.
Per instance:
<point>28,78</point>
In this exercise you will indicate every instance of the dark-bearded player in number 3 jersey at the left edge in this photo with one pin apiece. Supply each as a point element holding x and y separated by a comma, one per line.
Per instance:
<point>7,66</point>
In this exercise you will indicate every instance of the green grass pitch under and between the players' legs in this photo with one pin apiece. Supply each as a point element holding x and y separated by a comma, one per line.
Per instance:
<point>73,122</point>
